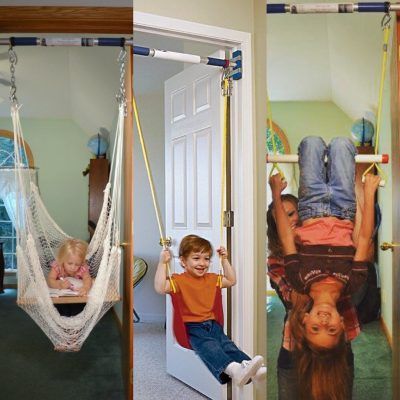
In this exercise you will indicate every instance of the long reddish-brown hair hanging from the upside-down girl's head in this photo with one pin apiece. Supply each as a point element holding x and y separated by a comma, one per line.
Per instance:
<point>323,374</point>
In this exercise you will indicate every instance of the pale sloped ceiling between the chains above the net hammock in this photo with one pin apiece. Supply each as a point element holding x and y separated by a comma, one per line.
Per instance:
<point>65,82</point>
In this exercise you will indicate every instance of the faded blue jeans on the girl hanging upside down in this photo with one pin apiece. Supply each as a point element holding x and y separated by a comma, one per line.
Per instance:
<point>327,189</point>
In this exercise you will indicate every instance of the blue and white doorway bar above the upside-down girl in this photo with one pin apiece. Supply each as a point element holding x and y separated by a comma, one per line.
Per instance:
<point>338,8</point>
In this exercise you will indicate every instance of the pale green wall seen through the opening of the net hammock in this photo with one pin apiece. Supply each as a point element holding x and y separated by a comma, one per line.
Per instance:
<point>60,153</point>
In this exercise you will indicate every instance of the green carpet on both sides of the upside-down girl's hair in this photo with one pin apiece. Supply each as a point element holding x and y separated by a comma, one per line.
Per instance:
<point>371,353</point>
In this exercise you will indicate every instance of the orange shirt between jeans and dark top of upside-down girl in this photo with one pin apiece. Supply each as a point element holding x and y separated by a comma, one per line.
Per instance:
<point>329,231</point>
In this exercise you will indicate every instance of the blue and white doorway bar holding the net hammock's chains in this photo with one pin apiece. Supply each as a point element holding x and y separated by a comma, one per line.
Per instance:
<point>80,42</point>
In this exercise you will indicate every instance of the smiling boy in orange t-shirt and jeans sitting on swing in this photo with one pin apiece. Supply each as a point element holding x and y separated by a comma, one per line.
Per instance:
<point>198,288</point>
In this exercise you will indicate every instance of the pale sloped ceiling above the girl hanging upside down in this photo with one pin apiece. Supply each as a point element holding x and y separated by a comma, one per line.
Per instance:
<point>325,57</point>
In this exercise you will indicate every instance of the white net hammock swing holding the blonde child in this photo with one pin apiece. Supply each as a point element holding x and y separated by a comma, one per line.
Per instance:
<point>39,237</point>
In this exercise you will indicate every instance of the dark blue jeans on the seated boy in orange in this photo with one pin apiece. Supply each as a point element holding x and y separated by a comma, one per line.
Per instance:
<point>214,348</point>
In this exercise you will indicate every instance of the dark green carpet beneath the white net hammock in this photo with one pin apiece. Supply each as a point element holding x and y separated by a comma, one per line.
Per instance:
<point>31,369</point>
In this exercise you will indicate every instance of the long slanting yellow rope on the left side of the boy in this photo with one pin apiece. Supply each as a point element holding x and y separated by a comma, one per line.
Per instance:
<point>163,240</point>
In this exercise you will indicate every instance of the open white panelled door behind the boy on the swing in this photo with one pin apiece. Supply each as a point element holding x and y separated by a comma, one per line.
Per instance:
<point>193,121</point>
